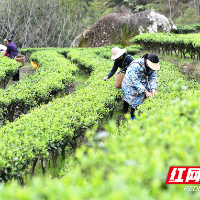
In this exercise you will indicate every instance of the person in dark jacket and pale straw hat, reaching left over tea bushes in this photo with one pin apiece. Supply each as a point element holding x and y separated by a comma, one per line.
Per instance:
<point>122,60</point>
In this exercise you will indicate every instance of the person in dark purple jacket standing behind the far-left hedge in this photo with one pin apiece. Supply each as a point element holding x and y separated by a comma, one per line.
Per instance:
<point>12,52</point>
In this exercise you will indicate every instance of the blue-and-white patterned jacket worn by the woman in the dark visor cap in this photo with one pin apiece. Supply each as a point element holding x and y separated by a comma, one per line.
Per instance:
<point>137,81</point>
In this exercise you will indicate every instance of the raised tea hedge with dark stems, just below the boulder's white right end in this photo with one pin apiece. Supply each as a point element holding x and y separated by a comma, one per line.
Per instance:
<point>169,43</point>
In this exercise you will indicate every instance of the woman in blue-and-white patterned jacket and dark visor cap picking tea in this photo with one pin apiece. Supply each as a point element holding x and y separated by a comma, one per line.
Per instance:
<point>140,81</point>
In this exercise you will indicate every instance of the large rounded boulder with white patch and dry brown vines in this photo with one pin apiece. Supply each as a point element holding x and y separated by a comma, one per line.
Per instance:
<point>119,28</point>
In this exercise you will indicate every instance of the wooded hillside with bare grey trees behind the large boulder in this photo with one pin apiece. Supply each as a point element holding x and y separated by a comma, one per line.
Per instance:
<point>56,23</point>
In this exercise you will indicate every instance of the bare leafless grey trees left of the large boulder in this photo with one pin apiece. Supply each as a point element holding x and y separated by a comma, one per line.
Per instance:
<point>41,23</point>
